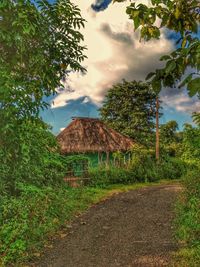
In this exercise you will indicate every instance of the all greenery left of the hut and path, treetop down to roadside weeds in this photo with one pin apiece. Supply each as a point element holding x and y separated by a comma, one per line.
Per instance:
<point>39,44</point>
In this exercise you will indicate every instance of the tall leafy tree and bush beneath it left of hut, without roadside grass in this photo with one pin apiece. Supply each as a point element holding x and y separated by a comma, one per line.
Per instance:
<point>40,44</point>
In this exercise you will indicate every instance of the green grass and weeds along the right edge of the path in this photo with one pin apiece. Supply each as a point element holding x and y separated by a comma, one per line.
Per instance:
<point>188,220</point>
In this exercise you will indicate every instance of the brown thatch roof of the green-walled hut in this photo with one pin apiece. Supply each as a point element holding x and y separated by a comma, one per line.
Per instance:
<point>84,135</point>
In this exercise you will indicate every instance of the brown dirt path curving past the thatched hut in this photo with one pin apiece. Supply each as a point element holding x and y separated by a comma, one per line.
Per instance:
<point>129,229</point>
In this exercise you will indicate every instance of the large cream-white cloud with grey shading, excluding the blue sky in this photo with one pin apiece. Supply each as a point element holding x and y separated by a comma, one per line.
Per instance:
<point>114,52</point>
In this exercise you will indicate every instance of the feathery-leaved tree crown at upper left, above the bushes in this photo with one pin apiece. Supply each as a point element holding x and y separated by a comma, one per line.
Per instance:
<point>40,44</point>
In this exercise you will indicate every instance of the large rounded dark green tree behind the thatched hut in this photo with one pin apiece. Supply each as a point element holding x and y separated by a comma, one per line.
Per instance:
<point>130,108</point>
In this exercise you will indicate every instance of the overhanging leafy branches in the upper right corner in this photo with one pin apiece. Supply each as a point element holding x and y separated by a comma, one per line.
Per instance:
<point>180,16</point>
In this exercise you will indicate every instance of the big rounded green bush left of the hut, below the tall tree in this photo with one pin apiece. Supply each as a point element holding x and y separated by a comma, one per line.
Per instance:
<point>30,155</point>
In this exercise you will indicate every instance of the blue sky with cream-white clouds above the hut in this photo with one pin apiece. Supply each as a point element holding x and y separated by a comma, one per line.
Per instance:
<point>114,52</point>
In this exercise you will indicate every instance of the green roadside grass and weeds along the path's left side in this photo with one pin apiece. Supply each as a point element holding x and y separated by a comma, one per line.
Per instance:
<point>33,219</point>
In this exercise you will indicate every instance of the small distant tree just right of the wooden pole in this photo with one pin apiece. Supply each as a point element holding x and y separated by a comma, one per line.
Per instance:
<point>168,132</point>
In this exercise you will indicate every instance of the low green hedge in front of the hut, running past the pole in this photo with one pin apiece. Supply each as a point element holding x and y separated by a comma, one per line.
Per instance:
<point>141,168</point>
